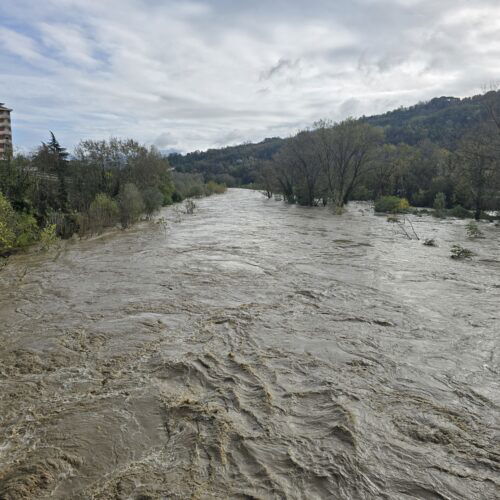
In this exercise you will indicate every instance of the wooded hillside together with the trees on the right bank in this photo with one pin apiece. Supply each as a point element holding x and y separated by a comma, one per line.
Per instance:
<point>446,145</point>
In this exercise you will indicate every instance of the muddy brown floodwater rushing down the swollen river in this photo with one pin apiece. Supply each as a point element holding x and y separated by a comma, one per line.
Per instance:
<point>253,350</point>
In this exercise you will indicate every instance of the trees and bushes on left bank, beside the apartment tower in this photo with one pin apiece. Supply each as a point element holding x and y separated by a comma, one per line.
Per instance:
<point>50,193</point>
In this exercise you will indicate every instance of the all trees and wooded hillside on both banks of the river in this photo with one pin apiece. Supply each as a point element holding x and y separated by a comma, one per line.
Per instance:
<point>445,152</point>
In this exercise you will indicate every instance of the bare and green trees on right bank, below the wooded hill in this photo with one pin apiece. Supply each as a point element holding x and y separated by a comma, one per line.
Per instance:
<point>333,163</point>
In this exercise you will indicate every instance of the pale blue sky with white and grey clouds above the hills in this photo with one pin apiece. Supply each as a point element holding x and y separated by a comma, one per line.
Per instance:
<point>191,75</point>
